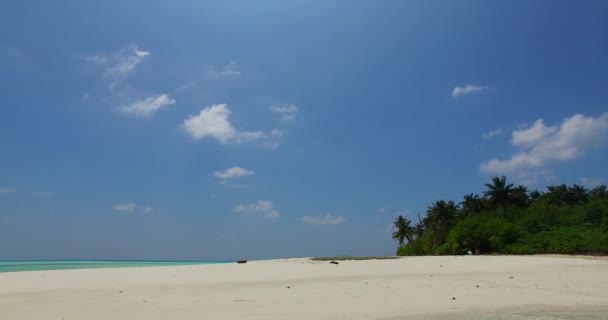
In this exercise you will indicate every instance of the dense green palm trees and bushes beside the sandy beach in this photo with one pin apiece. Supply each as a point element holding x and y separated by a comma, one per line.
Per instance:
<point>511,220</point>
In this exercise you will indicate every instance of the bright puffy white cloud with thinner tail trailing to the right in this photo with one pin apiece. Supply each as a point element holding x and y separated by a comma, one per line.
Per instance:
<point>213,122</point>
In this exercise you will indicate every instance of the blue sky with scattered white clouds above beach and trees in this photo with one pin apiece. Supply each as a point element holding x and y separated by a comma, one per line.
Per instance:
<point>229,129</point>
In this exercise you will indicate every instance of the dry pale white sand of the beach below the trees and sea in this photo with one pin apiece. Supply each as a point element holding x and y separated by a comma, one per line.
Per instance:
<point>302,289</point>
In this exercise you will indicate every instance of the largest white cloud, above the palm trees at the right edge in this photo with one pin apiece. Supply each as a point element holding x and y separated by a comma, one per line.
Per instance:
<point>541,144</point>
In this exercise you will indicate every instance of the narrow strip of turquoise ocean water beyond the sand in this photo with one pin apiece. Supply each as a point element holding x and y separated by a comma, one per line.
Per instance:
<point>13,266</point>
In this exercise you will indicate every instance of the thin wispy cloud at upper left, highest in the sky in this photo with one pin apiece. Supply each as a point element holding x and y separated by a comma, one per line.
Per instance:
<point>120,65</point>
